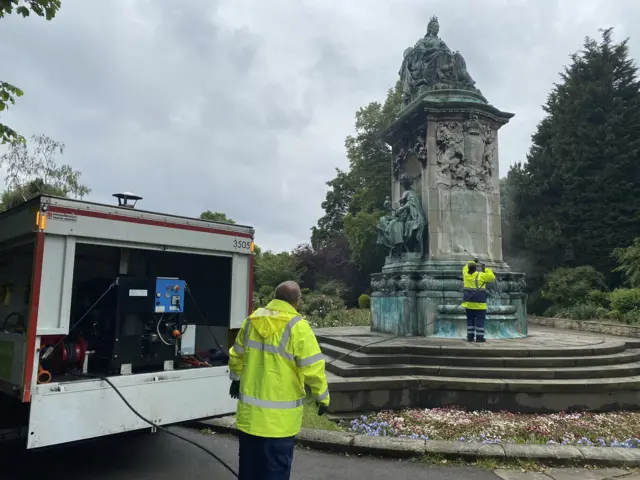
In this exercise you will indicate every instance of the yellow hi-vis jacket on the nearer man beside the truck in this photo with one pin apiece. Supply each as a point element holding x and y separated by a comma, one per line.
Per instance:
<point>274,356</point>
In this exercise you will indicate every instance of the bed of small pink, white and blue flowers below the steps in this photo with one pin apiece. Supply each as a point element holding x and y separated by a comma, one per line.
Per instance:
<point>620,429</point>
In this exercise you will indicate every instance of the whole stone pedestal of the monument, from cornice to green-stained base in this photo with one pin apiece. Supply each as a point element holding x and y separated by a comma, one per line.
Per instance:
<point>449,148</point>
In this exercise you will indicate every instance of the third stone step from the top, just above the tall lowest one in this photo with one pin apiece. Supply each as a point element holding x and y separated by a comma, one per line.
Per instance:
<point>345,369</point>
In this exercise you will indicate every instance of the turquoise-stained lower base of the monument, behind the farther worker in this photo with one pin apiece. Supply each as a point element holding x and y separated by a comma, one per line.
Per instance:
<point>415,297</point>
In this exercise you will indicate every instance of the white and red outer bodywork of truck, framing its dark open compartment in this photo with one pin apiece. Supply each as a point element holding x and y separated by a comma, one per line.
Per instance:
<point>56,230</point>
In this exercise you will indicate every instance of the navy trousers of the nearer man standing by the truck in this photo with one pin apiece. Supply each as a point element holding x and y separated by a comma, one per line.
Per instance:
<point>265,458</point>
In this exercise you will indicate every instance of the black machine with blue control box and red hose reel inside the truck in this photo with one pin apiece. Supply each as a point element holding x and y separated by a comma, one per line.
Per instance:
<point>138,325</point>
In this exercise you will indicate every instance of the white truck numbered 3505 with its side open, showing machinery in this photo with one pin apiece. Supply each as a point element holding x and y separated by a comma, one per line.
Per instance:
<point>90,291</point>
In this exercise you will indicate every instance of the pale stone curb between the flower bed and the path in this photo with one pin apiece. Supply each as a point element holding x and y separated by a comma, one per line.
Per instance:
<point>556,455</point>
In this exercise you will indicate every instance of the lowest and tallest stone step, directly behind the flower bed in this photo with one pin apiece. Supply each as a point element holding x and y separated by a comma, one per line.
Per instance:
<point>358,394</point>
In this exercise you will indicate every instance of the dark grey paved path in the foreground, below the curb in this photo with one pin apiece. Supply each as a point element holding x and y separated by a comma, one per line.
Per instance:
<point>161,457</point>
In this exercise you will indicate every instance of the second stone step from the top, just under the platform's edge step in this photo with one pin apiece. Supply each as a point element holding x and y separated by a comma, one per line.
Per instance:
<point>359,358</point>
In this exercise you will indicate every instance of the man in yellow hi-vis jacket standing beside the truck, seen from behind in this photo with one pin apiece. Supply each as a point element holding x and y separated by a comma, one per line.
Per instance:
<point>275,355</point>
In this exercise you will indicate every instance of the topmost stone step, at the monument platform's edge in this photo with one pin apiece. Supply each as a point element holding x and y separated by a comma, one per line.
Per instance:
<point>460,348</point>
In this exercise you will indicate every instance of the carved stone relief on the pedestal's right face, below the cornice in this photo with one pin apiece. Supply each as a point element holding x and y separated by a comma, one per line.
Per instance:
<point>465,154</point>
